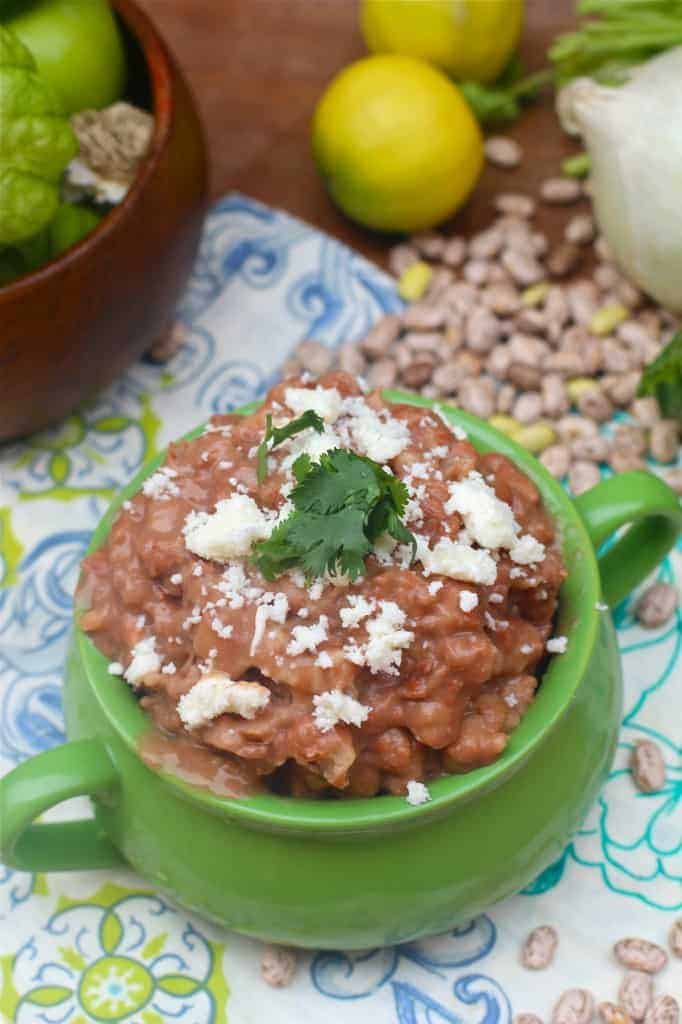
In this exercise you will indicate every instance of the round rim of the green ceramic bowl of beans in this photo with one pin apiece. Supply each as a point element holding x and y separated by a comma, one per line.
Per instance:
<point>579,618</point>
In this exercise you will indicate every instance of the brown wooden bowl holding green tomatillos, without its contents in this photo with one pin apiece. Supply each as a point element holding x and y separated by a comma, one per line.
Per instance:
<point>68,329</point>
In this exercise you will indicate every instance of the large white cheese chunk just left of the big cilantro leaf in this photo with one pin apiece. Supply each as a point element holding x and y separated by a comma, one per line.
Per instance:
<point>230,532</point>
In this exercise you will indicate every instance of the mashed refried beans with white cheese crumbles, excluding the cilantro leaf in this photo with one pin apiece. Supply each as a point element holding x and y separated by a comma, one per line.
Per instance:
<point>416,670</point>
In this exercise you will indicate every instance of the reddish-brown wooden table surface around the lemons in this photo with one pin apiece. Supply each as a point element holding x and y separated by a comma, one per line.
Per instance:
<point>258,69</point>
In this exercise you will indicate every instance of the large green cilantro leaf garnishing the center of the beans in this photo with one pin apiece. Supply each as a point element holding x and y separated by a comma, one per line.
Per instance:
<point>342,505</point>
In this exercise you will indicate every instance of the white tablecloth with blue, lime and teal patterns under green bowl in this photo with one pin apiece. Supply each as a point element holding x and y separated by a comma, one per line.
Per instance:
<point>100,947</point>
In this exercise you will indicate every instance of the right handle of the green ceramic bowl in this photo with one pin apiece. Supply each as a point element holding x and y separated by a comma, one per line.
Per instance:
<point>655,514</point>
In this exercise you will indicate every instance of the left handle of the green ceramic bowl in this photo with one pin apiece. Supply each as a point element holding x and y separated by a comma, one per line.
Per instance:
<point>73,770</point>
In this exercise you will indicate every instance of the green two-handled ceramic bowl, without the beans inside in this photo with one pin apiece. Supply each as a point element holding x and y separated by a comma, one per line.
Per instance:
<point>359,873</point>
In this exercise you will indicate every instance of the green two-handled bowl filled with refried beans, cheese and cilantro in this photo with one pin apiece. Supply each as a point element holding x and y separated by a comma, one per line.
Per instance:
<point>276,708</point>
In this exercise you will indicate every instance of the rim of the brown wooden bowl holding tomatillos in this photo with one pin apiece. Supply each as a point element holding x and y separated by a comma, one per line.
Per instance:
<point>160,70</point>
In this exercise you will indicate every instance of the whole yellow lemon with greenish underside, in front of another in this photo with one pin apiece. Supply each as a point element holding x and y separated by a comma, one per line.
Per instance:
<point>397,144</point>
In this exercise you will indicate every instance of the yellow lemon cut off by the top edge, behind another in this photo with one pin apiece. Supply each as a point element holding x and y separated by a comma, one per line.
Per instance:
<point>470,39</point>
